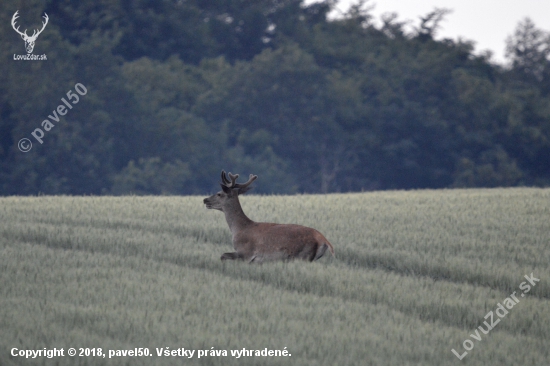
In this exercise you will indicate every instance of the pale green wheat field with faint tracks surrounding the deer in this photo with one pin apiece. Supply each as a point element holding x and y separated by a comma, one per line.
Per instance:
<point>415,274</point>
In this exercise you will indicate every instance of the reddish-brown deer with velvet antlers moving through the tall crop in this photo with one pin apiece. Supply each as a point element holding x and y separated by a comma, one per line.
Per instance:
<point>257,242</point>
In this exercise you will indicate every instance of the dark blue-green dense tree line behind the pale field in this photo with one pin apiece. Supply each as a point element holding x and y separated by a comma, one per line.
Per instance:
<point>178,90</point>
